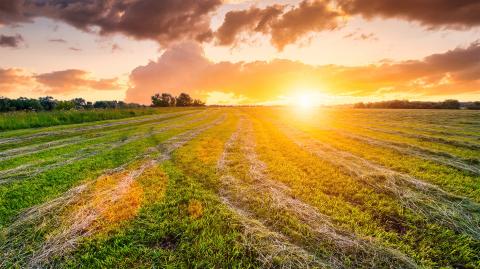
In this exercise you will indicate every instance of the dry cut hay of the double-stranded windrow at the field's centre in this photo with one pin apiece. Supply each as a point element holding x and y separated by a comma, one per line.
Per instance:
<point>240,196</point>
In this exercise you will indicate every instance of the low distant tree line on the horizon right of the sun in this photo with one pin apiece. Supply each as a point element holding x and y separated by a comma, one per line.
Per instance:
<point>405,104</point>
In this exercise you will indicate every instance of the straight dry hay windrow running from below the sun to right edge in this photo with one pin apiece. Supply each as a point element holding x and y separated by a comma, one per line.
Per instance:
<point>458,213</point>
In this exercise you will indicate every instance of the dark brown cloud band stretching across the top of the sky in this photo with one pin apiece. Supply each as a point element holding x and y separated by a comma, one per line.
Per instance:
<point>174,21</point>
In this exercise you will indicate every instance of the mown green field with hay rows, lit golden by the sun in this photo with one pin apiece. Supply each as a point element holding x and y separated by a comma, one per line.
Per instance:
<point>244,188</point>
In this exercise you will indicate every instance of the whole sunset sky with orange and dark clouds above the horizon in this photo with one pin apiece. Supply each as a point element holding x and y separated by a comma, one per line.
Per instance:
<point>241,52</point>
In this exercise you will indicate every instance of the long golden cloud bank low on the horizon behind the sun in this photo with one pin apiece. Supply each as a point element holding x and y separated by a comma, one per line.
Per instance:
<point>185,68</point>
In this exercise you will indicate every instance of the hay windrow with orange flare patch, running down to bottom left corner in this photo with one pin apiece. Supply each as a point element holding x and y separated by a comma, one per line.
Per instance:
<point>80,212</point>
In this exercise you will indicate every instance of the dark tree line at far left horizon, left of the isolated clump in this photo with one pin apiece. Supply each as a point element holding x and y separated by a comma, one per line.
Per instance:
<point>48,103</point>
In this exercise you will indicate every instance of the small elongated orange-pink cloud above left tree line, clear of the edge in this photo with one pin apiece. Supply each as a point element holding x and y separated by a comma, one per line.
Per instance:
<point>74,80</point>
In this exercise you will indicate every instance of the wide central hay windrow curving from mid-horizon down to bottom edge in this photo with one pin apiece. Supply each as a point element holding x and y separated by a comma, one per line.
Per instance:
<point>258,200</point>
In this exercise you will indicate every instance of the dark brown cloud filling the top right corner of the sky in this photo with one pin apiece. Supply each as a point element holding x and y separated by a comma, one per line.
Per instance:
<point>431,13</point>
